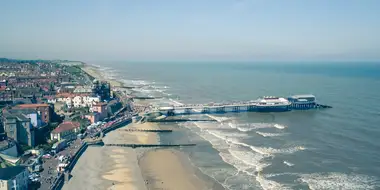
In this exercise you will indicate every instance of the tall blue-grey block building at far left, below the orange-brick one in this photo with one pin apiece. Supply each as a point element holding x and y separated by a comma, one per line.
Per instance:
<point>19,127</point>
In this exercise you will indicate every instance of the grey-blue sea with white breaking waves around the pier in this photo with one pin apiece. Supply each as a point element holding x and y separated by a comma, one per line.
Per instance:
<point>335,149</point>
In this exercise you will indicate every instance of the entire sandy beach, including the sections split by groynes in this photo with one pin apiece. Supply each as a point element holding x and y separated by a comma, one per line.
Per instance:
<point>127,168</point>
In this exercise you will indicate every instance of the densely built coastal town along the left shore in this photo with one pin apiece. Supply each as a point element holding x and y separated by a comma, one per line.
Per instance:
<point>50,110</point>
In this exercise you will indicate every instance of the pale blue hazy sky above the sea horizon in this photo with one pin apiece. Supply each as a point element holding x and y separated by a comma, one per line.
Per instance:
<point>191,29</point>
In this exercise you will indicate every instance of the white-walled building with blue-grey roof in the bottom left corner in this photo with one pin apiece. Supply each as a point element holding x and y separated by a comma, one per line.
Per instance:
<point>15,177</point>
